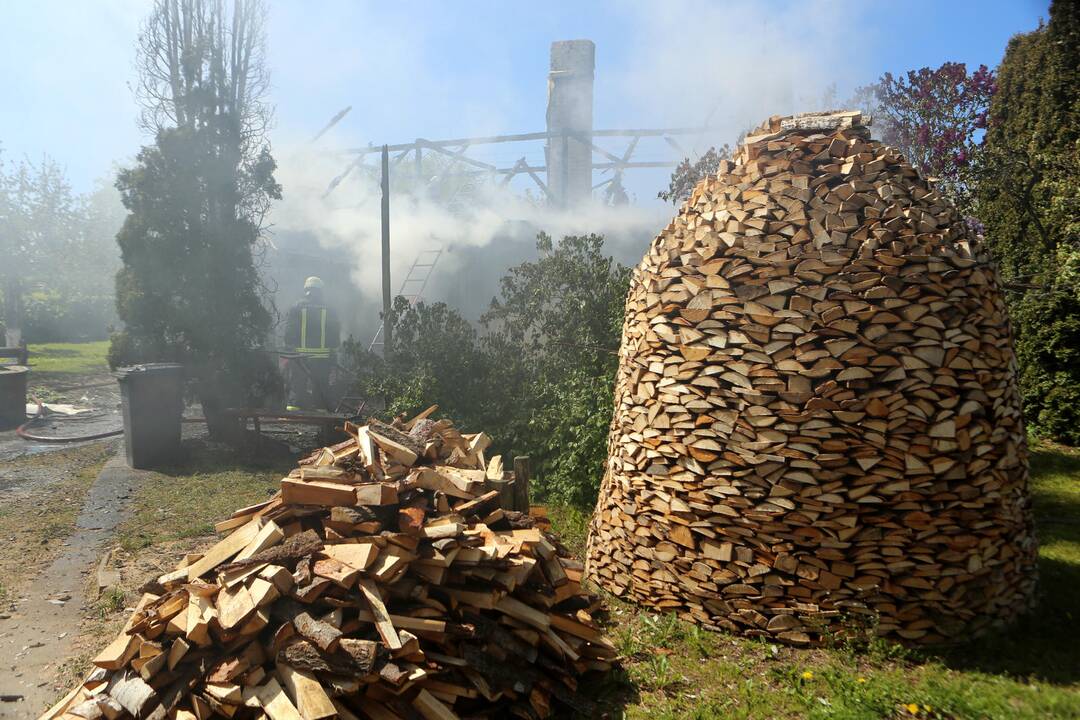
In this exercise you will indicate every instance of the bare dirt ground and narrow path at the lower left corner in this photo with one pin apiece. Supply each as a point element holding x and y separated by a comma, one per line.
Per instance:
<point>56,512</point>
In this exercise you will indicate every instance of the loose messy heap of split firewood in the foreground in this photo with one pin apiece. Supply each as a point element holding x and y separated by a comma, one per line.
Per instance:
<point>383,581</point>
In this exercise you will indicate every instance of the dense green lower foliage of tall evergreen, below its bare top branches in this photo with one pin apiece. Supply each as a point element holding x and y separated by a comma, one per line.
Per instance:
<point>188,291</point>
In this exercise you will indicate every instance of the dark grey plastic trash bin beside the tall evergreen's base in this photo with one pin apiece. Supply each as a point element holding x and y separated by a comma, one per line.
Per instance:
<point>153,400</point>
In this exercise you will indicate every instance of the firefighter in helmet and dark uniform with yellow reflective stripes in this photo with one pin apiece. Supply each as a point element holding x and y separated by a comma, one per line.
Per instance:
<point>313,333</point>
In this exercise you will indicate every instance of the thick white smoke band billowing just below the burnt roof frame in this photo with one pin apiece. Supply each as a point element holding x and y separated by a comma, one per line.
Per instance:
<point>348,221</point>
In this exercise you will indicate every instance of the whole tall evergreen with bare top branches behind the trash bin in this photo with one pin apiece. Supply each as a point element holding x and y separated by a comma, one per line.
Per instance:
<point>190,290</point>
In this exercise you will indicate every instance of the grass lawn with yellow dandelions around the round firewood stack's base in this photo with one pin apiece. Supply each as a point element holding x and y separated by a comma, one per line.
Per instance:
<point>673,670</point>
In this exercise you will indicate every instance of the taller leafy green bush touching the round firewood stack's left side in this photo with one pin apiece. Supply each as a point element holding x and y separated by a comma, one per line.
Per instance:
<point>556,332</point>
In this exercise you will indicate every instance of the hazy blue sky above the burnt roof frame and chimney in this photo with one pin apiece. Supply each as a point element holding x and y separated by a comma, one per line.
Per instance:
<point>447,70</point>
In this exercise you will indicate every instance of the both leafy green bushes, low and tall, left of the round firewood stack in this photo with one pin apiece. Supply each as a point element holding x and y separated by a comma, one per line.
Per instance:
<point>539,378</point>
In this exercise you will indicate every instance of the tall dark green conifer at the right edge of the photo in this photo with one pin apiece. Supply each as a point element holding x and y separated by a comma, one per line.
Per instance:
<point>1029,198</point>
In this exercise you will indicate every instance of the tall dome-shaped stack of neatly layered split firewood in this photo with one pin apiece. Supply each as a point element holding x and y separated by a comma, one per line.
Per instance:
<point>817,420</point>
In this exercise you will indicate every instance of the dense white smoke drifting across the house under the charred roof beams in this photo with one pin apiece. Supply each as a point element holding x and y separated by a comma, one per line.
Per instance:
<point>482,228</point>
